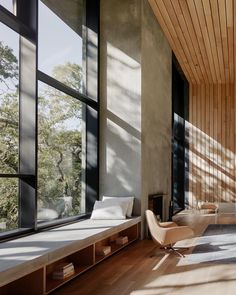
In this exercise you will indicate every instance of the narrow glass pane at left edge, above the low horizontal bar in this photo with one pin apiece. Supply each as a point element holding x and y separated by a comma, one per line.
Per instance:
<point>9,100</point>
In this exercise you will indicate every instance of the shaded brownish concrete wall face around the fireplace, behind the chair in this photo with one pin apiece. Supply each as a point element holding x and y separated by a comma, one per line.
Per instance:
<point>156,109</point>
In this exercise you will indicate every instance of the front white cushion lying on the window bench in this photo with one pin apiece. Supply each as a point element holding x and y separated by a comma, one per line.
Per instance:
<point>109,210</point>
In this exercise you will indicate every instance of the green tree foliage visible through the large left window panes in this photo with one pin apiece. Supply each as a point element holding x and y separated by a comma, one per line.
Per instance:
<point>59,137</point>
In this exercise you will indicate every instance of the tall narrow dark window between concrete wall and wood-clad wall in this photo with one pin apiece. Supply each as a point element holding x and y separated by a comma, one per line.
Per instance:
<point>179,135</point>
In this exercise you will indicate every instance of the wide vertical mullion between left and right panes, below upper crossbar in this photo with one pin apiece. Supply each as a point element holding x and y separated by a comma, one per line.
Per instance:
<point>27,134</point>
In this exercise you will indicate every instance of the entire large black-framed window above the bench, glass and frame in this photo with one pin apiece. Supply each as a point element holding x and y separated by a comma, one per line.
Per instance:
<point>48,127</point>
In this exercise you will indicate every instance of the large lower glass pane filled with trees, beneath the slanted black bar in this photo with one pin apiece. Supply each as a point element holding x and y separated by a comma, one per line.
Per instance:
<point>59,155</point>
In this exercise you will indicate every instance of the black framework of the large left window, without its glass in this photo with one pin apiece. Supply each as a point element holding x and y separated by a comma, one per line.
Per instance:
<point>25,23</point>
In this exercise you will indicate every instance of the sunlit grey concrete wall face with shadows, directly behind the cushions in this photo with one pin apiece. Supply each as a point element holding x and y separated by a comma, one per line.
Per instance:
<point>120,132</point>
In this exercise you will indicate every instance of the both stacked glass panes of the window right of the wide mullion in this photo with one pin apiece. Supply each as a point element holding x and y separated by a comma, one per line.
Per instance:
<point>60,125</point>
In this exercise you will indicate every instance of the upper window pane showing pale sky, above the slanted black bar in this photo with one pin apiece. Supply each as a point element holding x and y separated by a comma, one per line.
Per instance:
<point>60,43</point>
